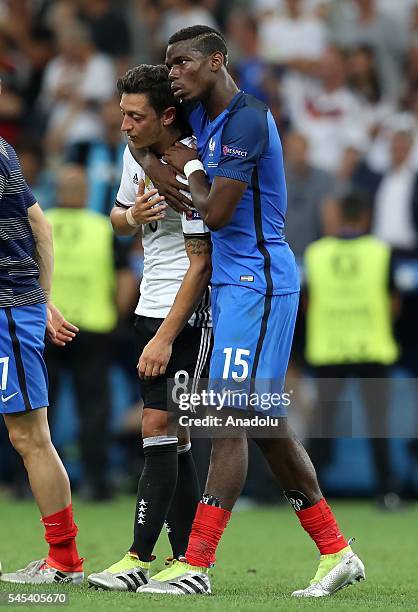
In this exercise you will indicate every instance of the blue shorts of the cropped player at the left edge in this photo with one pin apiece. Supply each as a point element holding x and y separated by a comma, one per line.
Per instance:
<point>23,374</point>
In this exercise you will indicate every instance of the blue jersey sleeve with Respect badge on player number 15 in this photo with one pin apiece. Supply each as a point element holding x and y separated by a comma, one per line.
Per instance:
<point>243,141</point>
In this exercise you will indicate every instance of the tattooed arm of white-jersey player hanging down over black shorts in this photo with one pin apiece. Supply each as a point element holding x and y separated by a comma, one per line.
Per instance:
<point>156,355</point>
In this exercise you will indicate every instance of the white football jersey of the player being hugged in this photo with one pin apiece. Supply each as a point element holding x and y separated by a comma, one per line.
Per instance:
<point>165,258</point>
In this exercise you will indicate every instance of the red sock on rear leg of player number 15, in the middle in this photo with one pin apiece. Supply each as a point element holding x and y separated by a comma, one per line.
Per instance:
<point>208,526</point>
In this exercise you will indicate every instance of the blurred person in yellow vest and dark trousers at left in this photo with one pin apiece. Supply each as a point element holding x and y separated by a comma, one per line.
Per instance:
<point>85,285</point>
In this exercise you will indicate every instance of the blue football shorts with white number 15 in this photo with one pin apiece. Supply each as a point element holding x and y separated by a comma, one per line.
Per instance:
<point>253,336</point>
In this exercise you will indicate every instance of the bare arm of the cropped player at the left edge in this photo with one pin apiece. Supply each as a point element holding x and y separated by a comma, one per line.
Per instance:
<point>58,330</point>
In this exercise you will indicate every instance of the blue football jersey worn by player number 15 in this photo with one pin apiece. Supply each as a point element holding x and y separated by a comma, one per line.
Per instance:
<point>243,143</point>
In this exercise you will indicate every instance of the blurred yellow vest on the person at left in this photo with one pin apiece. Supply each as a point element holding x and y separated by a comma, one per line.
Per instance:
<point>83,286</point>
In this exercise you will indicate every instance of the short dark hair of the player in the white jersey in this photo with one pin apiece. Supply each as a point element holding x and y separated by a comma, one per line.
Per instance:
<point>152,81</point>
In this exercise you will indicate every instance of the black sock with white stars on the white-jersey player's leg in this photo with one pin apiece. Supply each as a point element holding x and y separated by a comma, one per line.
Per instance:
<point>156,488</point>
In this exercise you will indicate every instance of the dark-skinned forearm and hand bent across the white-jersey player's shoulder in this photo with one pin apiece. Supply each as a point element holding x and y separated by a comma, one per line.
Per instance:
<point>217,202</point>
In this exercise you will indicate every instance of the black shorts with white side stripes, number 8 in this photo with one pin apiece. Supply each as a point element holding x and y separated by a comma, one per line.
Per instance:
<point>191,353</point>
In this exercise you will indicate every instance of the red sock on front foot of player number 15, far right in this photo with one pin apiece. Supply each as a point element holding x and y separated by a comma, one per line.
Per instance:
<point>319,522</point>
